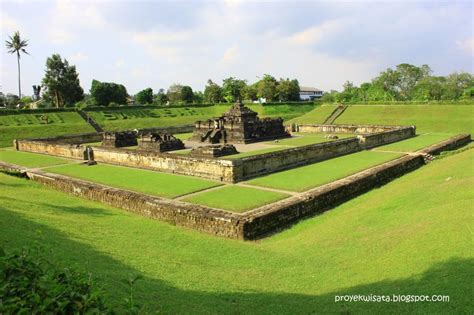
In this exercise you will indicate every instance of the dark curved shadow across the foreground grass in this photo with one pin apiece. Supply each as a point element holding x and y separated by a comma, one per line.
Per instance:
<point>453,278</point>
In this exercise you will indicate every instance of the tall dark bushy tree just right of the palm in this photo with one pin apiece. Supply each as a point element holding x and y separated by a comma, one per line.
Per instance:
<point>61,82</point>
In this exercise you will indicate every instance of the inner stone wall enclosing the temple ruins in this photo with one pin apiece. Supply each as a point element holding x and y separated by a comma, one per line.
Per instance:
<point>226,170</point>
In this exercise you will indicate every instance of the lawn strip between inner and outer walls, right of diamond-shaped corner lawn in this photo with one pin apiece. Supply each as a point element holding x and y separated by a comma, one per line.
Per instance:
<point>317,174</point>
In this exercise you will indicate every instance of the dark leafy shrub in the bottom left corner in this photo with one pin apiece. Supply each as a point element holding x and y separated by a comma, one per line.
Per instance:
<point>31,285</point>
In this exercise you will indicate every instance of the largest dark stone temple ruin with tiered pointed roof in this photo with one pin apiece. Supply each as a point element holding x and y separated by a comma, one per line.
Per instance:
<point>239,124</point>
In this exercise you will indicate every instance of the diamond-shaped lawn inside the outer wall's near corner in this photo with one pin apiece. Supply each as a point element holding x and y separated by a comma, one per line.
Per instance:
<point>235,198</point>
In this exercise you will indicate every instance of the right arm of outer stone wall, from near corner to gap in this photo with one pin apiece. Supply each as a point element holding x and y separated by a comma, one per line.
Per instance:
<point>271,218</point>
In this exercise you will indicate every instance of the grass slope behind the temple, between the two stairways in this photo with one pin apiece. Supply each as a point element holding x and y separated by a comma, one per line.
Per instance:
<point>130,118</point>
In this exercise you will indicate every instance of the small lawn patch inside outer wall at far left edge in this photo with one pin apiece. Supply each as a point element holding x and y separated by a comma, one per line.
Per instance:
<point>30,159</point>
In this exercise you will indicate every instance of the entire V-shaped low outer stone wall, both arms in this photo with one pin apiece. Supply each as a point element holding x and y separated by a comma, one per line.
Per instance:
<point>252,224</point>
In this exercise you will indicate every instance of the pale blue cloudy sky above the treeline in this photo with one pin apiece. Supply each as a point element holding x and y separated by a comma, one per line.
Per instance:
<point>154,44</point>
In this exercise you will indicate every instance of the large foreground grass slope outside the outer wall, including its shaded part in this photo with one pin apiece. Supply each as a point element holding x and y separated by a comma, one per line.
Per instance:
<point>411,236</point>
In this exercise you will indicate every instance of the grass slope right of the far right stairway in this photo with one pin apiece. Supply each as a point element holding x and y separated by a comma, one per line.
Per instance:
<point>448,119</point>
